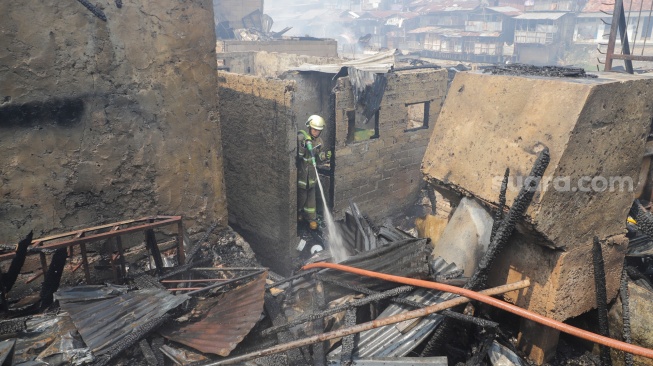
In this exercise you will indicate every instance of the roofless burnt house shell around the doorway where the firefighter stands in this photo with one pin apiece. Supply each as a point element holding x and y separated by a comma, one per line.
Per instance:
<point>377,149</point>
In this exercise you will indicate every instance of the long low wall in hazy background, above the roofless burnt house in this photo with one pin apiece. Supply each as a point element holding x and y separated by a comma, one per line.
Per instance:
<point>309,47</point>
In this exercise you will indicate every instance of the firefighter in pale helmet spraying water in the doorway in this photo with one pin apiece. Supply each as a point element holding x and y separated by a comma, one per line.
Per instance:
<point>309,153</point>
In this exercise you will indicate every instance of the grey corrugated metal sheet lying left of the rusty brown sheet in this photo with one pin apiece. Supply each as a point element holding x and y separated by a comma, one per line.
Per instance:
<point>103,323</point>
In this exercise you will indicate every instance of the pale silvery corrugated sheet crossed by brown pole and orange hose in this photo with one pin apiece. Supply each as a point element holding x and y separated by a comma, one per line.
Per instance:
<point>389,341</point>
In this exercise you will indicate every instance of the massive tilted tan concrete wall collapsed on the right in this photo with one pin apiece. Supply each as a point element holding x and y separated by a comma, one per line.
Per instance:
<point>595,130</point>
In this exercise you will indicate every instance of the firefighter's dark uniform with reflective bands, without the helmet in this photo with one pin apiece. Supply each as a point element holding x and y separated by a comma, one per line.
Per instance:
<point>306,176</point>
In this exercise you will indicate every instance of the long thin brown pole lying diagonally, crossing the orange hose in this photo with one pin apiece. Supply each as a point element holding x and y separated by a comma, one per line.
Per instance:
<point>419,313</point>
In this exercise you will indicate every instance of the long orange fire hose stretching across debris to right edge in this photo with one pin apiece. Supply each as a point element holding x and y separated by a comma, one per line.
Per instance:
<point>612,343</point>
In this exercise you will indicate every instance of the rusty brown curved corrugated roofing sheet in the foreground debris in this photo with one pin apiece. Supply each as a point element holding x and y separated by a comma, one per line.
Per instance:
<point>228,320</point>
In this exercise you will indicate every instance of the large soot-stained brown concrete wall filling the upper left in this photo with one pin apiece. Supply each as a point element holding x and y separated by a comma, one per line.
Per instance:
<point>102,121</point>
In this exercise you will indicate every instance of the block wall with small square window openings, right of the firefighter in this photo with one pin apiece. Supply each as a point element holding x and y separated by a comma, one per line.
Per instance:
<point>382,175</point>
